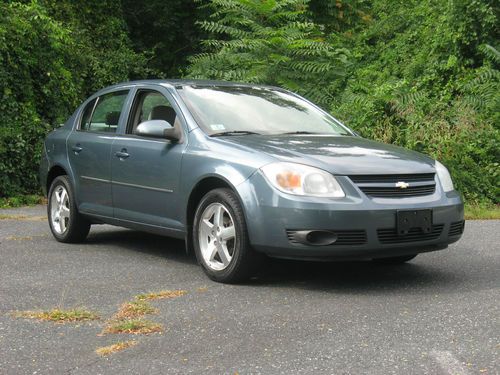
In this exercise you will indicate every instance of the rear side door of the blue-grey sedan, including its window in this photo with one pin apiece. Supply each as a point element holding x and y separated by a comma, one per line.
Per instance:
<point>89,149</point>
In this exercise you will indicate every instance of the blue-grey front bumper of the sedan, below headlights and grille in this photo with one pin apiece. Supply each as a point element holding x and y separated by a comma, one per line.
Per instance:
<point>271,216</point>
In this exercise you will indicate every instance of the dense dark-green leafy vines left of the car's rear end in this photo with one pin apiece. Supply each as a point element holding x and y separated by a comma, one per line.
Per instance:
<point>49,62</point>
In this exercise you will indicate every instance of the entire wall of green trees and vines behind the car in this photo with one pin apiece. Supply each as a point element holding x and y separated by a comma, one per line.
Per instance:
<point>422,74</point>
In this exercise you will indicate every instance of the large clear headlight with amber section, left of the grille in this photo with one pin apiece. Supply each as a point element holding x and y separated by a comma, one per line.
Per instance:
<point>301,179</point>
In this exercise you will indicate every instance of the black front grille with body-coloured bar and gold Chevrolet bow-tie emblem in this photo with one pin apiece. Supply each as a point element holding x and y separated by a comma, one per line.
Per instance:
<point>384,186</point>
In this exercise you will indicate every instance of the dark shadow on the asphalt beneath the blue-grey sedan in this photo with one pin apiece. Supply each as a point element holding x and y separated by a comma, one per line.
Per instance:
<point>349,277</point>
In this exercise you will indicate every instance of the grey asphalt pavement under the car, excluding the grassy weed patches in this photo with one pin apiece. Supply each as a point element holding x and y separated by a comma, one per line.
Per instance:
<point>437,315</point>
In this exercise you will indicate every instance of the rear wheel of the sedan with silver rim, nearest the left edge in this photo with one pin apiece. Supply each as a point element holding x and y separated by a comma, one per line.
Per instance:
<point>66,223</point>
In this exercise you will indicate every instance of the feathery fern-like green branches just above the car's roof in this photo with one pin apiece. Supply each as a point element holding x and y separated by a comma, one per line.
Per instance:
<point>271,42</point>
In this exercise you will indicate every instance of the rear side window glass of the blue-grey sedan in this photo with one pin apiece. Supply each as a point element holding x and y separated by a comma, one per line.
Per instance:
<point>102,114</point>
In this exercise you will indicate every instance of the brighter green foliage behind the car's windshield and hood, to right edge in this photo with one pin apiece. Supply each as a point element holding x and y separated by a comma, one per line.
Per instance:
<point>421,74</point>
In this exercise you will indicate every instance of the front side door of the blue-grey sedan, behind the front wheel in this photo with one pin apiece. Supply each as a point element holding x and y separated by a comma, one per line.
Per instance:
<point>146,170</point>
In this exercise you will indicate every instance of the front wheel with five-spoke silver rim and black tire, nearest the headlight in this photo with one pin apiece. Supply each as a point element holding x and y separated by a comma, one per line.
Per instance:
<point>220,238</point>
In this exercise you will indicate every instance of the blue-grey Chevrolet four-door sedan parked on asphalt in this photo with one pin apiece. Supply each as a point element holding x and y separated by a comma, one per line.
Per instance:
<point>242,172</point>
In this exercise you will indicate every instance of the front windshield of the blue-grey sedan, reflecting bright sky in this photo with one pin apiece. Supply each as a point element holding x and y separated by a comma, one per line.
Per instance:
<point>262,110</point>
